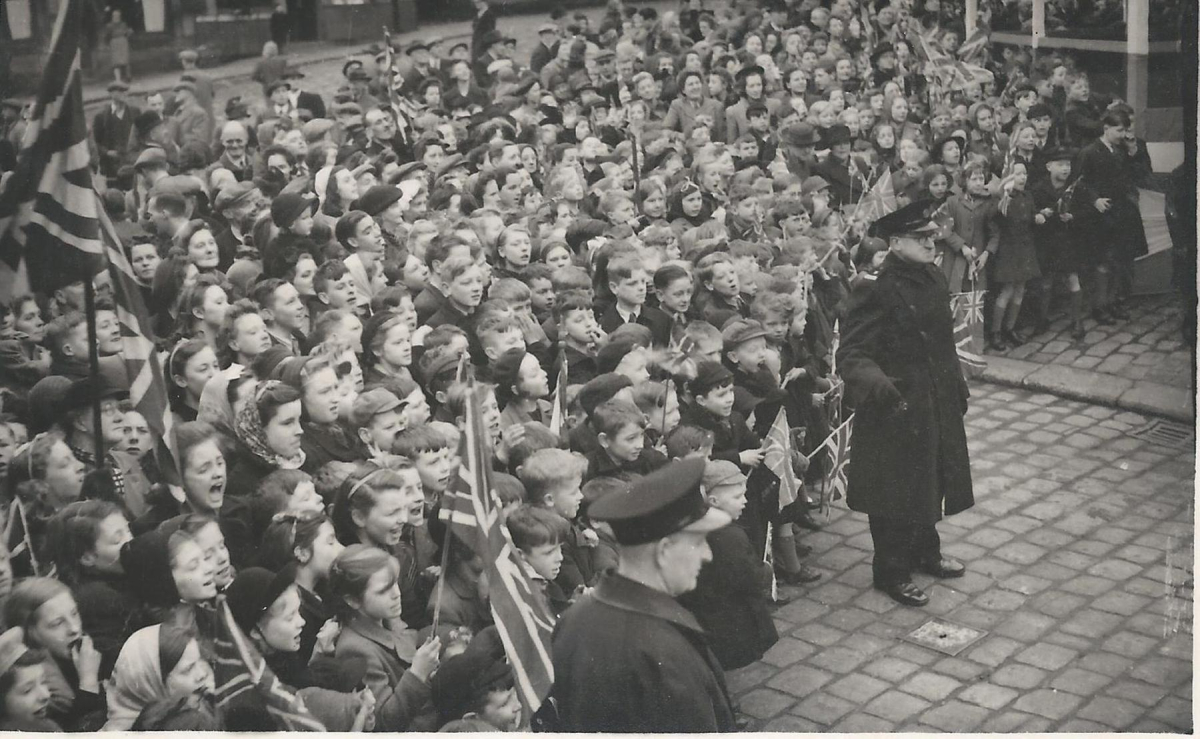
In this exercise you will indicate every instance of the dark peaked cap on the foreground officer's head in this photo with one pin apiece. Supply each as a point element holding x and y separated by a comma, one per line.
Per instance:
<point>663,503</point>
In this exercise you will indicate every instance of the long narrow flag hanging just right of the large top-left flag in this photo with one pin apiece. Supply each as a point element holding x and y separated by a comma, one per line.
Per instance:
<point>148,387</point>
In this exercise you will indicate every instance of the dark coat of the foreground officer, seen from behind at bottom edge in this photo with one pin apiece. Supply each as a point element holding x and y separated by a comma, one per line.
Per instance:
<point>633,660</point>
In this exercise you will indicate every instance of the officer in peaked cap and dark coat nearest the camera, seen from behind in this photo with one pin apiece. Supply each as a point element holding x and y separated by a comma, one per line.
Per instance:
<point>628,658</point>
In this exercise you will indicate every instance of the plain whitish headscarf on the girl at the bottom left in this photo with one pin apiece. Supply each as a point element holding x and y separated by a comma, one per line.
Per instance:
<point>140,677</point>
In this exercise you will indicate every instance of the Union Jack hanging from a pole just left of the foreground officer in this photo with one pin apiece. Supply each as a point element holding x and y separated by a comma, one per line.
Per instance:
<point>473,513</point>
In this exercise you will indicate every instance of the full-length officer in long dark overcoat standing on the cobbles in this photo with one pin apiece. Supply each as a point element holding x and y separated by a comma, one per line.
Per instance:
<point>901,364</point>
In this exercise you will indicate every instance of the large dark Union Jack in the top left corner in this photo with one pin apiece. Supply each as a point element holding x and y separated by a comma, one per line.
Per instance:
<point>50,236</point>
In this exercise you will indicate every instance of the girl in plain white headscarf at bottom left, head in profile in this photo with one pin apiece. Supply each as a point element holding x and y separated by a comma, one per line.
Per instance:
<point>154,664</point>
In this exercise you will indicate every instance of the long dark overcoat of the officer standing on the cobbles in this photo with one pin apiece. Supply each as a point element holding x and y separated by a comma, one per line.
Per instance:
<point>910,460</point>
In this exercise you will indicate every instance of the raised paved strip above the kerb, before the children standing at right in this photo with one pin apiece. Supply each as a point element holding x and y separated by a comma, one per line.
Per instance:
<point>1148,347</point>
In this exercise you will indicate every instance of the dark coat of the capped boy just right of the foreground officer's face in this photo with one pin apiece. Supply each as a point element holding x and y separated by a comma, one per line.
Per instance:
<point>730,600</point>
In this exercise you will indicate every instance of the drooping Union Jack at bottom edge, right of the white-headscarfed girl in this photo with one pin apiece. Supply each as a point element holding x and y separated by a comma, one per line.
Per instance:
<point>238,668</point>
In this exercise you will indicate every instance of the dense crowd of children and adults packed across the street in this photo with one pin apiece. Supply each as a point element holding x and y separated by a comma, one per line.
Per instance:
<point>641,248</point>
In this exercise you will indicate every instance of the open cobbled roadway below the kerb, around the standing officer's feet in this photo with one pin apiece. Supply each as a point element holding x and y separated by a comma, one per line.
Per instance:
<point>1079,570</point>
